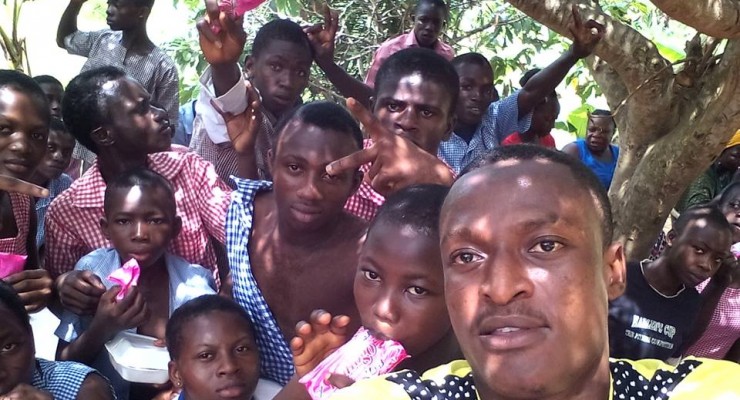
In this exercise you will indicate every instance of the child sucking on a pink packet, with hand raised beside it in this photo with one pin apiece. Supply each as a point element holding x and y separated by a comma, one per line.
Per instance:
<point>399,289</point>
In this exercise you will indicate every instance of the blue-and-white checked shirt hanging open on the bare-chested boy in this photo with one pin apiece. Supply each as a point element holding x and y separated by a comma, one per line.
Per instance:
<point>275,355</point>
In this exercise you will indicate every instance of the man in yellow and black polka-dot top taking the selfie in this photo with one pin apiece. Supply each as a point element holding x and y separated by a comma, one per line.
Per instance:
<point>527,284</point>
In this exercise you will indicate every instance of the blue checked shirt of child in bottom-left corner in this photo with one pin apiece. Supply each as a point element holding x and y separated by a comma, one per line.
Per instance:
<point>62,379</point>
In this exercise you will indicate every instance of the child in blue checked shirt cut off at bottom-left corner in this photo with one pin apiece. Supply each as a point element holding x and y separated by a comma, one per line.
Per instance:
<point>27,377</point>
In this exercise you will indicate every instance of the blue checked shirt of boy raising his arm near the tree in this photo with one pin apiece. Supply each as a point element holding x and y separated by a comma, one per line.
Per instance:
<point>501,120</point>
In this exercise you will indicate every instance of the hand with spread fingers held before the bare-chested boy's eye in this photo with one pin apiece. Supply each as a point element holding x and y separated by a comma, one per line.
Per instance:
<point>396,161</point>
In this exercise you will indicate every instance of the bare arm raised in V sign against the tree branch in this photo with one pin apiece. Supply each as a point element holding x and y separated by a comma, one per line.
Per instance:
<point>586,35</point>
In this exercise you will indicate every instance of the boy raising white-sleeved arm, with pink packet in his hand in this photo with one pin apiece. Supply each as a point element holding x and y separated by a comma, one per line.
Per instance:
<point>278,68</point>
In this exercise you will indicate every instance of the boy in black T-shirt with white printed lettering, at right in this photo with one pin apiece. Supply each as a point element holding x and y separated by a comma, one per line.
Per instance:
<point>660,304</point>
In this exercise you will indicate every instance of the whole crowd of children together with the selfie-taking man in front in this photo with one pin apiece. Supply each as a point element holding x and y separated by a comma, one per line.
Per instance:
<point>447,226</point>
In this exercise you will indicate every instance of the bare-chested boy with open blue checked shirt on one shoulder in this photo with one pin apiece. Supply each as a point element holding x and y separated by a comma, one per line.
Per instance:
<point>292,248</point>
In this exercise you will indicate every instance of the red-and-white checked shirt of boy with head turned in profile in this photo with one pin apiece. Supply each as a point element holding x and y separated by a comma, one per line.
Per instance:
<point>202,199</point>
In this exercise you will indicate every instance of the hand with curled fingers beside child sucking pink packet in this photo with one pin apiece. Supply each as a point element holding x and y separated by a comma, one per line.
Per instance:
<point>316,339</point>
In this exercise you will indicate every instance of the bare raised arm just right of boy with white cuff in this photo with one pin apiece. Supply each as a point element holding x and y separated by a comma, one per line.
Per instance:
<point>322,37</point>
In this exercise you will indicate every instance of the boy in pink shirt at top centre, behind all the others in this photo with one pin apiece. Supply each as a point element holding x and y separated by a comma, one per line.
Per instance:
<point>430,17</point>
